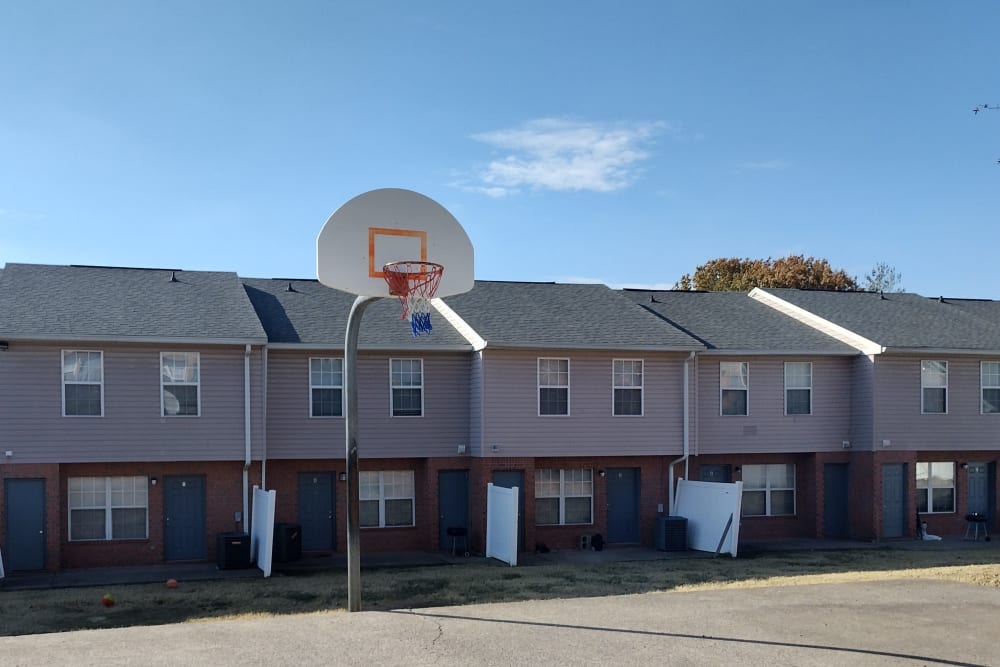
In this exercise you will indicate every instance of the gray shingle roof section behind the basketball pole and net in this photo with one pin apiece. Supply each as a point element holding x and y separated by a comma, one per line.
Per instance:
<point>314,315</point>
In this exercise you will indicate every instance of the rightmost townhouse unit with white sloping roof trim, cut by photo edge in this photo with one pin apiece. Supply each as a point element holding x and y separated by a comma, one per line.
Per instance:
<point>925,435</point>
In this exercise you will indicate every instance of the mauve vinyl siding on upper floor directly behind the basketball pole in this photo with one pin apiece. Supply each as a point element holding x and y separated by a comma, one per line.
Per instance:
<point>292,433</point>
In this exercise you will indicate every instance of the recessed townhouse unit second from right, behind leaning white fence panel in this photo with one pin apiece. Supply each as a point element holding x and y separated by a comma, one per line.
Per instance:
<point>773,410</point>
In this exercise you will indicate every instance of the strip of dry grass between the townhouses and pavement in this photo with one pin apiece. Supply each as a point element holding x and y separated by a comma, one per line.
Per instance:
<point>476,581</point>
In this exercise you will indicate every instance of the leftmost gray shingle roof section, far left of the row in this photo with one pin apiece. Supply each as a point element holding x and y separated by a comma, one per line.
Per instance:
<point>93,303</point>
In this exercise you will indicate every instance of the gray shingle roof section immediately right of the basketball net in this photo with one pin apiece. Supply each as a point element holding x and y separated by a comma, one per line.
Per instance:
<point>552,315</point>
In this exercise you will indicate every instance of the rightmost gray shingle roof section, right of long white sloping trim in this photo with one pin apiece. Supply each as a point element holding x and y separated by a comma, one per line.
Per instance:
<point>903,321</point>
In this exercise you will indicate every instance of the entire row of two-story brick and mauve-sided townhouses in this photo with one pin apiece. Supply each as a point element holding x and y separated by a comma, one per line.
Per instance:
<point>139,406</point>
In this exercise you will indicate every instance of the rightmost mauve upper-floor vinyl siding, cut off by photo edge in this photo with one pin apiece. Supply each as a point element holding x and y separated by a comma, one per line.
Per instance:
<point>899,419</point>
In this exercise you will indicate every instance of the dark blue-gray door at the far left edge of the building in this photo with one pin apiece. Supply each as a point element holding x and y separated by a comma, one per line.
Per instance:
<point>24,503</point>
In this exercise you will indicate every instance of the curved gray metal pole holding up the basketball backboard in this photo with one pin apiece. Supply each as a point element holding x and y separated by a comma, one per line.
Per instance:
<point>353,478</point>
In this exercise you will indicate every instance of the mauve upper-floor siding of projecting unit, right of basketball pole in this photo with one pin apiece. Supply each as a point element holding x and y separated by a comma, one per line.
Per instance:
<point>512,426</point>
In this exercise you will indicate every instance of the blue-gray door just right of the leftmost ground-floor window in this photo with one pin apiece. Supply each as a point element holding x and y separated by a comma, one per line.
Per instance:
<point>184,517</point>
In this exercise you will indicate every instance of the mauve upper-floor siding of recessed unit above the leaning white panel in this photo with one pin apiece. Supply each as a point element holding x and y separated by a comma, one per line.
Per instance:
<point>766,427</point>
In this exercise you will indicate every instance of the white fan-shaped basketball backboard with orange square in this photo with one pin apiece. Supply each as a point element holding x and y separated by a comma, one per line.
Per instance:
<point>391,225</point>
